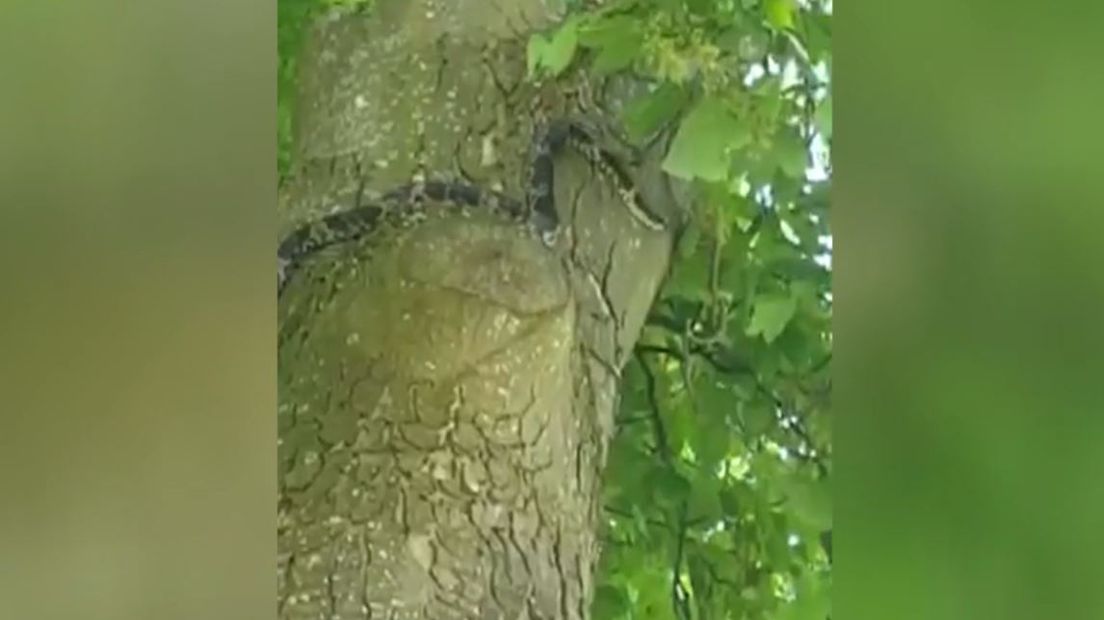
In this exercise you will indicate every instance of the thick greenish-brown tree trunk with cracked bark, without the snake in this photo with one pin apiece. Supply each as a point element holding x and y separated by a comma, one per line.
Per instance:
<point>449,383</point>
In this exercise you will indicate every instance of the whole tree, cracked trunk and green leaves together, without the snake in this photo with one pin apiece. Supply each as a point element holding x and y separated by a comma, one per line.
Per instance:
<point>472,422</point>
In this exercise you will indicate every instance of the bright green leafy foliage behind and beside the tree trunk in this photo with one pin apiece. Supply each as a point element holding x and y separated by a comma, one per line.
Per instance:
<point>717,495</point>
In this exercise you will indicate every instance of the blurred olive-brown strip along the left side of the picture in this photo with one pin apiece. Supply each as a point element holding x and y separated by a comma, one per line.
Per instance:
<point>137,436</point>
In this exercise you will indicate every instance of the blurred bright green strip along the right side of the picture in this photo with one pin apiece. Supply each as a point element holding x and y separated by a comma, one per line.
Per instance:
<point>968,271</point>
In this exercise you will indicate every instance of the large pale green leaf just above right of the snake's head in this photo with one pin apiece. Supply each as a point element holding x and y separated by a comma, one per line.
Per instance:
<point>705,142</point>
